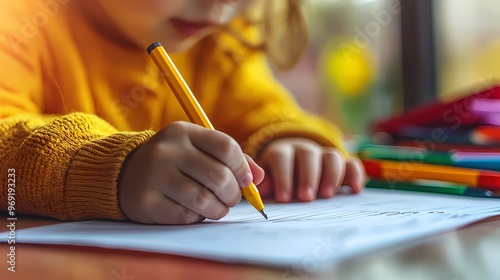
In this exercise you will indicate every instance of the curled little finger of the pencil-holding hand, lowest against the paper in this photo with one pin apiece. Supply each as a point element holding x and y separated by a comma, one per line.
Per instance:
<point>165,211</point>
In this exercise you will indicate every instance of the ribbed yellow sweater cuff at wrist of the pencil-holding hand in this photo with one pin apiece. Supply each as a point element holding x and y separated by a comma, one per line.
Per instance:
<point>91,188</point>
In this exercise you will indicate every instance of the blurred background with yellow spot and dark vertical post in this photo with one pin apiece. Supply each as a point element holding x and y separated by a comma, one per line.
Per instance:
<point>360,51</point>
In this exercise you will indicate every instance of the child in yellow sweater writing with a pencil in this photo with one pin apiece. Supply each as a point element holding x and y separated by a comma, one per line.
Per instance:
<point>91,130</point>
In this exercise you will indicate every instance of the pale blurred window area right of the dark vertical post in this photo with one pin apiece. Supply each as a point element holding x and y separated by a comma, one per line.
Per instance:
<point>468,44</point>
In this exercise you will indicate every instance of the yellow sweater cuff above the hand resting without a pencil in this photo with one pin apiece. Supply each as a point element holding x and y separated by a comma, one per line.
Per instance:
<point>325,136</point>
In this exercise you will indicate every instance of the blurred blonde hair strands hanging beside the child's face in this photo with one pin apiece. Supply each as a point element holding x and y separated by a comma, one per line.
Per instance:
<point>283,27</point>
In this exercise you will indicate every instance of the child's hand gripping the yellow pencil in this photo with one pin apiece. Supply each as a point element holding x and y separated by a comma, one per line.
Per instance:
<point>184,174</point>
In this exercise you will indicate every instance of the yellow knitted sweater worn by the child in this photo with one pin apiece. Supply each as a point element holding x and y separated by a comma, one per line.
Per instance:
<point>74,104</point>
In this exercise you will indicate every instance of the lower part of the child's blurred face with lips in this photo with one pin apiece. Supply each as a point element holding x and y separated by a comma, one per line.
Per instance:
<point>177,24</point>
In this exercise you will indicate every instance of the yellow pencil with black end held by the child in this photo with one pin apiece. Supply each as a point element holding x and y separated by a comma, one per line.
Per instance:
<point>193,109</point>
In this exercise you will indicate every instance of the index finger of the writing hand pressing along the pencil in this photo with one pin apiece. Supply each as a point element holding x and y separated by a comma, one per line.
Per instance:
<point>226,150</point>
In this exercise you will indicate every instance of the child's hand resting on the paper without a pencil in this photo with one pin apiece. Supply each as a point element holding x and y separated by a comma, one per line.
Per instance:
<point>302,168</point>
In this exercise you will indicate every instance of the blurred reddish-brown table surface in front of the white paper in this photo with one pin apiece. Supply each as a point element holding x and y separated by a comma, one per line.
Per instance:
<point>472,252</point>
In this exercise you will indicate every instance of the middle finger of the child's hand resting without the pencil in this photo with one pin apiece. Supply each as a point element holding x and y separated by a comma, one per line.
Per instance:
<point>309,163</point>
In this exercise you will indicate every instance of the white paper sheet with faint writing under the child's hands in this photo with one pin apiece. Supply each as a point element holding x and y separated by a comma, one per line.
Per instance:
<point>297,235</point>
